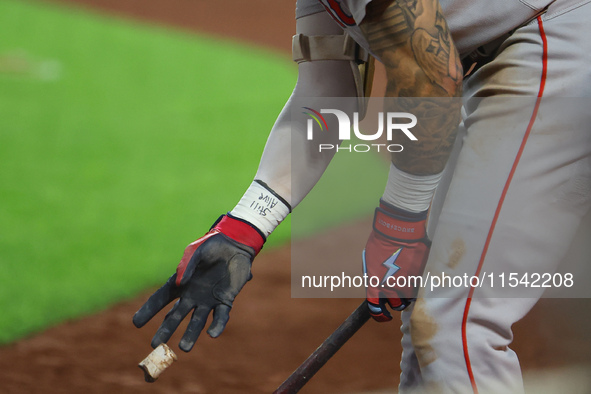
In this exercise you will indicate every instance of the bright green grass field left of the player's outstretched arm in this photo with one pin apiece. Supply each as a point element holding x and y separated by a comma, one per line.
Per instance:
<point>119,144</point>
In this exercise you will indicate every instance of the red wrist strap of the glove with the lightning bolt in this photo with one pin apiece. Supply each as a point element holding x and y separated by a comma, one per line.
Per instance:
<point>396,224</point>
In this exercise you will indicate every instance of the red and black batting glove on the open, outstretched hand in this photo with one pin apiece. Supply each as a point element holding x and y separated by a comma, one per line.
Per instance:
<point>211,273</point>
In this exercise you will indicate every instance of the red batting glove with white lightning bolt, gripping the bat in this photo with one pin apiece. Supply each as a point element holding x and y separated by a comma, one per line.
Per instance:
<point>394,259</point>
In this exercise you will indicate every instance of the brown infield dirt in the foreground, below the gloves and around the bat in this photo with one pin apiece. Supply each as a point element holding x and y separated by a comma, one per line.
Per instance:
<point>268,336</point>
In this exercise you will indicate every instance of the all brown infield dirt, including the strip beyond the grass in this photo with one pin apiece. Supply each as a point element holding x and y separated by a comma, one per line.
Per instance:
<point>269,334</point>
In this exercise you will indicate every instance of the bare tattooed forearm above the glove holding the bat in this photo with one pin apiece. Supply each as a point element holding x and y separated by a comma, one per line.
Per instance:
<point>412,40</point>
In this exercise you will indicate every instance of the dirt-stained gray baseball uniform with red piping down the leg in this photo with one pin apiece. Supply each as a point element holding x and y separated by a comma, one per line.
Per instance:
<point>514,192</point>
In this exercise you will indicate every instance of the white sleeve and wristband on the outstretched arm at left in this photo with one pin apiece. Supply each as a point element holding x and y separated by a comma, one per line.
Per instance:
<point>280,182</point>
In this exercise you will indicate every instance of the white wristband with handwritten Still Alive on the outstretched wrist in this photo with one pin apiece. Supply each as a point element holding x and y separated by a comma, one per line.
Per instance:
<point>261,207</point>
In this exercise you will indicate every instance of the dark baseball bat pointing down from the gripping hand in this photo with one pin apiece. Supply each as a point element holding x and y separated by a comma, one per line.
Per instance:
<point>329,347</point>
